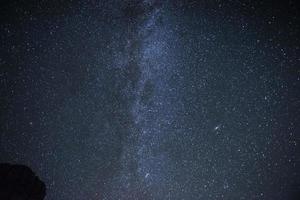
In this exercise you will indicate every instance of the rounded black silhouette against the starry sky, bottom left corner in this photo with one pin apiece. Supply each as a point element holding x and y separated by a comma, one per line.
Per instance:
<point>18,182</point>
